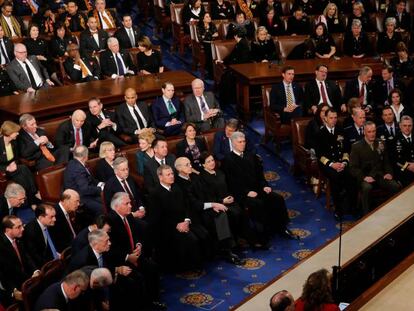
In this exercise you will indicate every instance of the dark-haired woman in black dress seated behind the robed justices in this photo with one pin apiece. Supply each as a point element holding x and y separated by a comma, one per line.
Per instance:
<point>191,146</point>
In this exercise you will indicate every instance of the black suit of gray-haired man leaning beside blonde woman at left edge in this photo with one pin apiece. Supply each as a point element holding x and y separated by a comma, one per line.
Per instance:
<point>30,151</point>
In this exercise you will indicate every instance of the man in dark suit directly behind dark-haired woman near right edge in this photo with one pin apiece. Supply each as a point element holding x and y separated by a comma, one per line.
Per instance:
<point>384,86</point>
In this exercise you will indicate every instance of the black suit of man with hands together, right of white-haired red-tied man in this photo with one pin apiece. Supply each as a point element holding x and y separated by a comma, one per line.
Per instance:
<point>107,133</point>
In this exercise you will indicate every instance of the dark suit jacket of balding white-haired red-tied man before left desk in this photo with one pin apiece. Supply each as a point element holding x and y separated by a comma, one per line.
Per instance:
<point>65,135</point>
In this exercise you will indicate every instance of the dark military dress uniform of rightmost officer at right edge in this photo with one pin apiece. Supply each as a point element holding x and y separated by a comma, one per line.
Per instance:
<point>403,153</point>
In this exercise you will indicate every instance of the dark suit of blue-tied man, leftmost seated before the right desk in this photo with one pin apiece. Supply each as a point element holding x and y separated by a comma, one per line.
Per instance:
<point>278,101</point>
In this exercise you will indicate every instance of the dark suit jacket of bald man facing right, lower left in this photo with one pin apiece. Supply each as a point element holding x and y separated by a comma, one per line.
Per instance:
<point>61,233</point>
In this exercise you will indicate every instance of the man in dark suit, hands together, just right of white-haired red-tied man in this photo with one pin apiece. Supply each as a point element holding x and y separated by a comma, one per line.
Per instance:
<point>104,123</point>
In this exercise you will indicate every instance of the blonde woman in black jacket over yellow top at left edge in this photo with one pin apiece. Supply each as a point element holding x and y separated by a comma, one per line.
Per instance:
<point>18,173</point>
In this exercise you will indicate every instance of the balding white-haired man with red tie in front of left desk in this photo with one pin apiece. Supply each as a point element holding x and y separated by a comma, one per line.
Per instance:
<point>74,132</point>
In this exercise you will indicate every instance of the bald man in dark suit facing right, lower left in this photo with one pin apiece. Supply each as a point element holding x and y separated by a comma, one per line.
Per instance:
<point>64,230</point>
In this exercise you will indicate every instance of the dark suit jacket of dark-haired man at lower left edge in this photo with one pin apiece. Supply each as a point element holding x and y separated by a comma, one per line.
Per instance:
<point>13,273</point>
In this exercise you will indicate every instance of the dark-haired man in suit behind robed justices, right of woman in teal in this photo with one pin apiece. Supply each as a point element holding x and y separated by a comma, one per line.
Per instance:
<point>161,157</point>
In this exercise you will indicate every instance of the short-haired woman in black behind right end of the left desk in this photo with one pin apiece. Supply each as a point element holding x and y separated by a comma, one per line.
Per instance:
<point>149,60</point>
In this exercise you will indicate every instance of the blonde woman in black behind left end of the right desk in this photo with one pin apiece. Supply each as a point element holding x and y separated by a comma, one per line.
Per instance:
<point>264,48</point>
